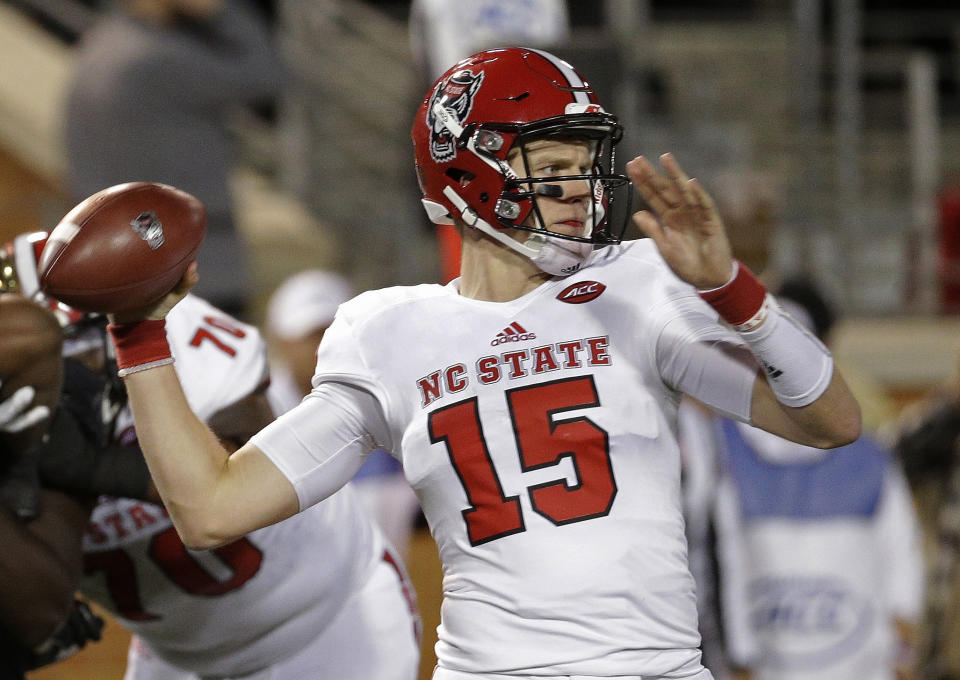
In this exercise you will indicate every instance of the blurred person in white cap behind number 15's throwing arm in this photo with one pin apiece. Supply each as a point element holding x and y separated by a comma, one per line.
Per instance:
<point>298,313</point>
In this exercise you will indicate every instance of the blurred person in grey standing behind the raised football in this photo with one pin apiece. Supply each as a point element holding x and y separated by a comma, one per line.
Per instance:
<point>152,89</point>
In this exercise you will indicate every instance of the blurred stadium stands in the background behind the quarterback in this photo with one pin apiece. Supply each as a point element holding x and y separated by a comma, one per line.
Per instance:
<point>829,132</point>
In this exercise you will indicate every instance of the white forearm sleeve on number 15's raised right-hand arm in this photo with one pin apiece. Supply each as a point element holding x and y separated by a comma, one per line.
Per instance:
<point>798,366</point>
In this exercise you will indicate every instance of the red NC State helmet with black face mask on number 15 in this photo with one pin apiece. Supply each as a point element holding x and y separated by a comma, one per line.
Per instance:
<point>497,100</point>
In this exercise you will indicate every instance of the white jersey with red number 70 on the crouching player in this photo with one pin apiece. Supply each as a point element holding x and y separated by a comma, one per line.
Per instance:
<point>237,608</point>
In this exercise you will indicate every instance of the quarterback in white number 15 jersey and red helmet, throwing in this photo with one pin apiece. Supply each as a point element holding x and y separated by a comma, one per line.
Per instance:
<point>532,401</point>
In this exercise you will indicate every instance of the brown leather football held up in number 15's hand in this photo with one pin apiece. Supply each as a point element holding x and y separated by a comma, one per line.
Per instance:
<point>122,248</point>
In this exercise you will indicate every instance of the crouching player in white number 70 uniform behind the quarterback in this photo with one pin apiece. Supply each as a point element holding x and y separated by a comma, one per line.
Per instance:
<point>321,596</point>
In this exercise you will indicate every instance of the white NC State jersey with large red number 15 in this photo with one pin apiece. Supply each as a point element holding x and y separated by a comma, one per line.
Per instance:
<point>539,435</point>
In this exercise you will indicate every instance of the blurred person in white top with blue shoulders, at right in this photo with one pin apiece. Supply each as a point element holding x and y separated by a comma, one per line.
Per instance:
<point>819,570</point>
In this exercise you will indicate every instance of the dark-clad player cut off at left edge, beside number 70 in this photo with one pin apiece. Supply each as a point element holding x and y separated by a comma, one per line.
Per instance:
<point>40,529</point>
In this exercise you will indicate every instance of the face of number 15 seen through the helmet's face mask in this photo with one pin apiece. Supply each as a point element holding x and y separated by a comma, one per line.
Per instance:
<point>568,214</point>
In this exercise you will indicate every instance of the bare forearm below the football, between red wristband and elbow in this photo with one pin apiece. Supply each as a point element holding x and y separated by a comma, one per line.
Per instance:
<point>187,462</point>
